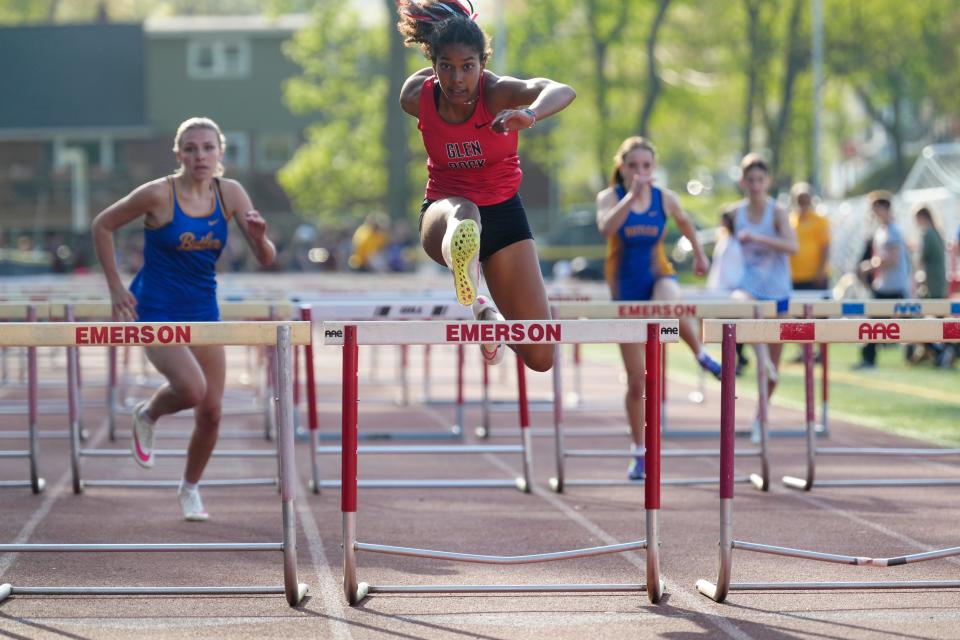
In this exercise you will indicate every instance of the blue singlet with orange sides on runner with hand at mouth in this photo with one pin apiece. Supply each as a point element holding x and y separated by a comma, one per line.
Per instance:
<point>636,258</point>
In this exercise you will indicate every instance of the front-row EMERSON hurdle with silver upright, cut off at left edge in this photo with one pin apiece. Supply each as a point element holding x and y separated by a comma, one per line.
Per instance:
<point>281,336</point>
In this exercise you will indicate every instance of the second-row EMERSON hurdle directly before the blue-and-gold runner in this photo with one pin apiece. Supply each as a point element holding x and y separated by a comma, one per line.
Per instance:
<point>698,309</point>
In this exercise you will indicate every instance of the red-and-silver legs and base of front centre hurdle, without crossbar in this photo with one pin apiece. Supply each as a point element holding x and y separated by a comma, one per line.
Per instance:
<point>355,591</point>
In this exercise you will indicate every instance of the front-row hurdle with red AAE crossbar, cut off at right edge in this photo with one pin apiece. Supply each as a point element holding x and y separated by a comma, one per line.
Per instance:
<point>806,332</point>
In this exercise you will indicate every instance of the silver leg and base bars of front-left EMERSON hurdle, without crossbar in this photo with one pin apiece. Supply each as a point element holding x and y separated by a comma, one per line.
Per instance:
<point>291,589</point>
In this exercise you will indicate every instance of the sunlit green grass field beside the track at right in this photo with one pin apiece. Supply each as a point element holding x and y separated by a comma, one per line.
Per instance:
<point>912,400</point>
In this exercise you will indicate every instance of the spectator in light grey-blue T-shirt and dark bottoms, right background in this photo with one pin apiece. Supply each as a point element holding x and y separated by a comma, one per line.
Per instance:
<point>890,264</point>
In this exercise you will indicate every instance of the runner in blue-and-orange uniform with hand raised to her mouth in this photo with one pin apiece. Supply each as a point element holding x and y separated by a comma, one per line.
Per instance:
<point>632,214</point>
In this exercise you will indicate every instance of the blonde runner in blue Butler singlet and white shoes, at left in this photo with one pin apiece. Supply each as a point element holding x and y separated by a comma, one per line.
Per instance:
<point>185,229</point>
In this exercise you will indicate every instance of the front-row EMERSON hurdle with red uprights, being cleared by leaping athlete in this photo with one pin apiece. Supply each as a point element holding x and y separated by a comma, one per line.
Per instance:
<point>350,335</point>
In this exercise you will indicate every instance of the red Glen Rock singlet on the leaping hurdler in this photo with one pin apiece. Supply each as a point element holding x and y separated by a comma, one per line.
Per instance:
<point>467,160</point>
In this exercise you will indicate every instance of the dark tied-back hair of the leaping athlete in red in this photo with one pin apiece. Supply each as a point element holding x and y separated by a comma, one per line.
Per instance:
<point>435,24</point>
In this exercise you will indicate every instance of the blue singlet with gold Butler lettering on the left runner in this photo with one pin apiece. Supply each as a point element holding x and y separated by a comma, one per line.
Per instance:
<point>177,282</point>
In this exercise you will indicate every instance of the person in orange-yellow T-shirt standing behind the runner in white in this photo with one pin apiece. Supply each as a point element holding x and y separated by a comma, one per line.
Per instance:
<point>808,266</point>
